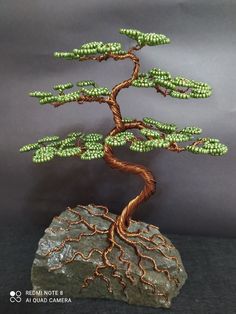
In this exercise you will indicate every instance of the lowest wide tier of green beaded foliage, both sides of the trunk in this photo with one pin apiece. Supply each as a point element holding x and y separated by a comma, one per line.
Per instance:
<point>156,135</point>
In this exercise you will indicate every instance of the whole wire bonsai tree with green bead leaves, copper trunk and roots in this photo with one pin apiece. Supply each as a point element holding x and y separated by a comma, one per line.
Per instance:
<point>153,134</point>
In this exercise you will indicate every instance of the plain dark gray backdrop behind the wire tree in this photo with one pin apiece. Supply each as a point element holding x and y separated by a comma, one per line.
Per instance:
<point>195,194</point>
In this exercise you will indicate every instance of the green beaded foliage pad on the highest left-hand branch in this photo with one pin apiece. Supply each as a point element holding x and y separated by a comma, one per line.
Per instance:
<point>91,49</point>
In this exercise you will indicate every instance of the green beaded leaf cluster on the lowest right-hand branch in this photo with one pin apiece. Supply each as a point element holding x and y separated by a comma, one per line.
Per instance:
<point>159,134</point>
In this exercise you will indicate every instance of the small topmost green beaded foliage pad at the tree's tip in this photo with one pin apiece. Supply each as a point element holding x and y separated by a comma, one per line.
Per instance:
<point>149,39</point>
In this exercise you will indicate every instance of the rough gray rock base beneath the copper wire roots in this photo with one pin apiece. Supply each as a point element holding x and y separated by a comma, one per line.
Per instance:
<point>60,265</point>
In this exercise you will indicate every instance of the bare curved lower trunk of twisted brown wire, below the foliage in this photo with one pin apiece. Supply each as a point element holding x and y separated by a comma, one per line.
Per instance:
<point>148,189</point>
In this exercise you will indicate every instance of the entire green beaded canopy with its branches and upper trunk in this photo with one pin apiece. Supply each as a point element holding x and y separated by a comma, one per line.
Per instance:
<point>153,134</point>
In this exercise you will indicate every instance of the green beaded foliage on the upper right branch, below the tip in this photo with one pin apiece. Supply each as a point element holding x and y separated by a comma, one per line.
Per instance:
<point>177,87</point>
